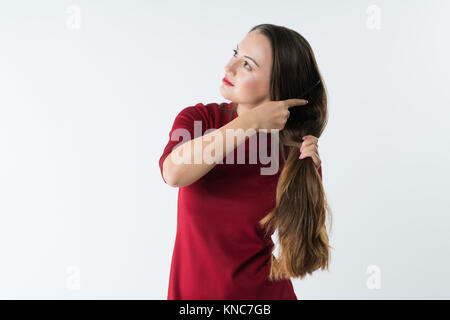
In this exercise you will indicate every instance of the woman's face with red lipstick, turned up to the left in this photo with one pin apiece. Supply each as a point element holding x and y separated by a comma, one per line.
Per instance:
<point>249,71</point>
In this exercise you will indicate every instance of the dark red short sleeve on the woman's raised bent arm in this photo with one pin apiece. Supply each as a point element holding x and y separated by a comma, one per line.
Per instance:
<point>195,120</point>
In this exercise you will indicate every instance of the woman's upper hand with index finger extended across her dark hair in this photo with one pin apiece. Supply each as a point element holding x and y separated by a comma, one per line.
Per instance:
<point>273,114</point>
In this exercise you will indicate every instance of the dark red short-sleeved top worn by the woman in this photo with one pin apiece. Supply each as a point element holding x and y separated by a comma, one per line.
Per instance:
<point>220,251</point>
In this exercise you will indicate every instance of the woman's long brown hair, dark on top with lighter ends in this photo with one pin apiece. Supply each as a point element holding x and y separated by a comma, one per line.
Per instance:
<point>301,206</point>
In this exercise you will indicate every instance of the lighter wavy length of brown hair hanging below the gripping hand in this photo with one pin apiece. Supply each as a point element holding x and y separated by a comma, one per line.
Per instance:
<point>300,217</point>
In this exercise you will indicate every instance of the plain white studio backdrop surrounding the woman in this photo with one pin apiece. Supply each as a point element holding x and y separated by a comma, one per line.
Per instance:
<point>89,92</point>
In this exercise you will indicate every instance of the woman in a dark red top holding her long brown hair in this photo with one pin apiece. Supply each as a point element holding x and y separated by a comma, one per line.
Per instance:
<point>227,212</point>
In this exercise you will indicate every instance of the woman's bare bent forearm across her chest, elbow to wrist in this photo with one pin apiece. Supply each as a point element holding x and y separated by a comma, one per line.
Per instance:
<point>194,164</point>
